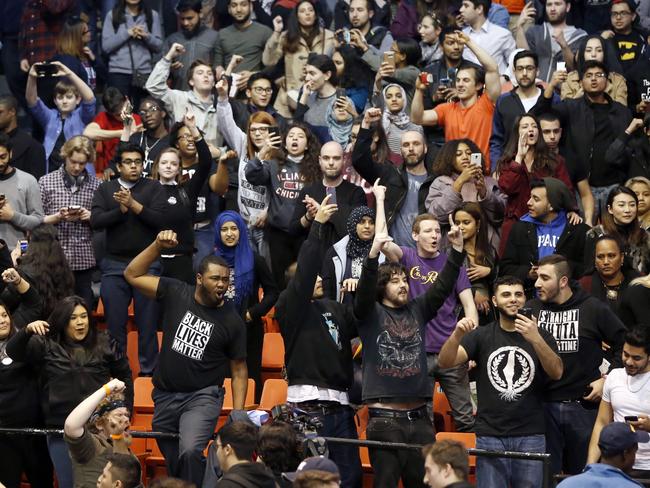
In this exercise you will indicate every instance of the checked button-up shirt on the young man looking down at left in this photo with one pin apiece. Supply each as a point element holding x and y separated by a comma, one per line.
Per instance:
<point>75,237</point>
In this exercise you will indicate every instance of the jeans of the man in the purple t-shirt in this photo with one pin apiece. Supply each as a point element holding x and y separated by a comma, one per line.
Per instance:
<point>455,383</point>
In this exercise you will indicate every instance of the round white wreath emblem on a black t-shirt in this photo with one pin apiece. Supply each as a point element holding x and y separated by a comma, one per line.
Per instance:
<point>511,370</point>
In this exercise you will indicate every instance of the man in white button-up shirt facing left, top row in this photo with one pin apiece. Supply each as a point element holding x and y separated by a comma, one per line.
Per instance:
<point>497,41</point>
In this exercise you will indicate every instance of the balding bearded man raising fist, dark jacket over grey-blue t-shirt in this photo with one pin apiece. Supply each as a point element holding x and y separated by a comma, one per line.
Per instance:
<point>407,186</point>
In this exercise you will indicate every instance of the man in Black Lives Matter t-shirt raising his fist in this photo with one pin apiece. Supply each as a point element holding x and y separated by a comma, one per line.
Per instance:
<point>202,335</point>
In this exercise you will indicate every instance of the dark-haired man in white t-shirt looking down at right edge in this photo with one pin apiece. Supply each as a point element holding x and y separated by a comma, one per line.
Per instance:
<point>626,395</point>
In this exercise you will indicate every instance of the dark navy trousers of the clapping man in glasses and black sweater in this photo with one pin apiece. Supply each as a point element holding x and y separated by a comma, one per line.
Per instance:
<point>116,294</point>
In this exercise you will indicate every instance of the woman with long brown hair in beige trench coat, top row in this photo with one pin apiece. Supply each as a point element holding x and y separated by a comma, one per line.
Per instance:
<point>302,36</point>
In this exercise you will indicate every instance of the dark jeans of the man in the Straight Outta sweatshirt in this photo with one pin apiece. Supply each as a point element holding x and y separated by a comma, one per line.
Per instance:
<point>568,431</point>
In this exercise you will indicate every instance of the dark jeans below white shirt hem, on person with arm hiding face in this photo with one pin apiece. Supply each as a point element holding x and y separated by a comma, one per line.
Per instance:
<point>341,424</point>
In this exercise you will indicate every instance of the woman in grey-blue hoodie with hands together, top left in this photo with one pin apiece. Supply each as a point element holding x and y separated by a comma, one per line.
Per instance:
<point>131,35</point>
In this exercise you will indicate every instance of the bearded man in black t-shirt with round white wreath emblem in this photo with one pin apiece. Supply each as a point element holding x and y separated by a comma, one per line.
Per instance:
<point>514,358</point>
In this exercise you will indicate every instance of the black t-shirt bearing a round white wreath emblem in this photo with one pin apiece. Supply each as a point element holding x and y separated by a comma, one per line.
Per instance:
<point>510,383</point>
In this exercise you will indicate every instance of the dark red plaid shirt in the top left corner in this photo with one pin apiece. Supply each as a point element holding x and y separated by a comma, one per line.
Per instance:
<point>40,25</point>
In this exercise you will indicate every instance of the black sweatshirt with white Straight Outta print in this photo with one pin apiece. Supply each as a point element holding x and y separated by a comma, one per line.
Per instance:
<point>580,326</point>
